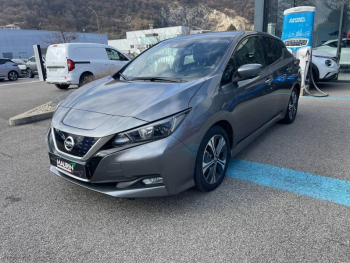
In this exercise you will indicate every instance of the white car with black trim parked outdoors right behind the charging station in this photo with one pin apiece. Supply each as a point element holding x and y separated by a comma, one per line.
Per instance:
<point>325,66</point>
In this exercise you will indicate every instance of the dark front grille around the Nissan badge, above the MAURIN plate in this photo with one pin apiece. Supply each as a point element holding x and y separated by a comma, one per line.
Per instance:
<point>82,144</point>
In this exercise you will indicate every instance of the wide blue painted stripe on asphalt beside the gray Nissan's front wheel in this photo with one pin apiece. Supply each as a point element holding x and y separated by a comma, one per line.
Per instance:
<point>312,185</point>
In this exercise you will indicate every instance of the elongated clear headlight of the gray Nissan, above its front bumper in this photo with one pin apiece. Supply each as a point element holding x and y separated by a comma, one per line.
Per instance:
<point>151,132</point>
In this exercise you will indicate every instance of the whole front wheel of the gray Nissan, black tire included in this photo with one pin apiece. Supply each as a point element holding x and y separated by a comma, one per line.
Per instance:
<point>212,159</point>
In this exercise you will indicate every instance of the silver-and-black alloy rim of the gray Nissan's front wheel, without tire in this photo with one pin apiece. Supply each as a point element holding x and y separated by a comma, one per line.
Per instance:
<point>214,159</point>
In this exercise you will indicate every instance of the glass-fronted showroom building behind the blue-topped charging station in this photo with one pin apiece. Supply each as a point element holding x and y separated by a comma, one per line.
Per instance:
<point>331,29</point>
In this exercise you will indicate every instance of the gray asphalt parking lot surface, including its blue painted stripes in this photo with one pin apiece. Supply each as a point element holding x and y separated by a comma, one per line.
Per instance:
<point>286,197</point>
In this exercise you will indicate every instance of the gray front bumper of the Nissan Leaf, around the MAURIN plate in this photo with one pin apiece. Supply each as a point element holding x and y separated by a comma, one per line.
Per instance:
<point>120,173</point>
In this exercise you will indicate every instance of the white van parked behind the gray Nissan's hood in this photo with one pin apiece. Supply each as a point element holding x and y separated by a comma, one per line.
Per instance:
<point>80,63</point>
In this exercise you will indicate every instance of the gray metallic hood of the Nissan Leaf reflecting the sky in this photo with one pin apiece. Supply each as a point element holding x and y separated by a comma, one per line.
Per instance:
<point>108,106</point>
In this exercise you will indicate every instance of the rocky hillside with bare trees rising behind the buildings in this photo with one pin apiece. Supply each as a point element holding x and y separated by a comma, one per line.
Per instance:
<point>117,17</point>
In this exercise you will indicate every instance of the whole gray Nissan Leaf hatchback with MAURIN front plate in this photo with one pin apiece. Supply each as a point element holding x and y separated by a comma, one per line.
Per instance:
<point>171,119</point>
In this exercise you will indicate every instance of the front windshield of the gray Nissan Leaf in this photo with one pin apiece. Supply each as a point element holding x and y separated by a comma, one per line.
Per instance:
<point>178,59</point>
